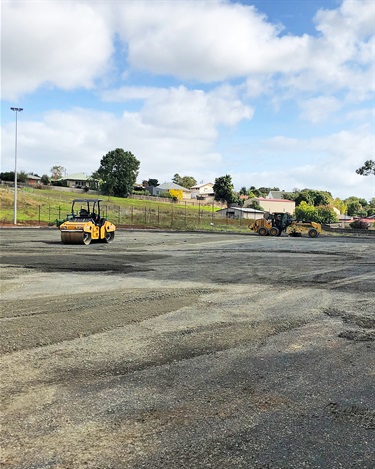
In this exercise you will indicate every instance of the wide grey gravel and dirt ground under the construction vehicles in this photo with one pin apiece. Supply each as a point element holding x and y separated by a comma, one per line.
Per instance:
<point>187,350</point>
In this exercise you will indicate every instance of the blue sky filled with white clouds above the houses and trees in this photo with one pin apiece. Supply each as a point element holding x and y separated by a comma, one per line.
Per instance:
<point>272,92</point>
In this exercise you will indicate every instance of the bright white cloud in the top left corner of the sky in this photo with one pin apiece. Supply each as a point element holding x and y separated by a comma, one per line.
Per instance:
<point>63,44</point>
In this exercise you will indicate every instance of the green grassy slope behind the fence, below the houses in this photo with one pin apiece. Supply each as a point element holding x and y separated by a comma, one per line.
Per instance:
<point>44,206</point>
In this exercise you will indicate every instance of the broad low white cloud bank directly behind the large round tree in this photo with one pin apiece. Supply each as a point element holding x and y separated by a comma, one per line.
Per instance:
<point>176,130</point>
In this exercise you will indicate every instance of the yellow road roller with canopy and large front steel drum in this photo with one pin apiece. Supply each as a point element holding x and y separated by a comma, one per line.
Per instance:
<point>85,223</point>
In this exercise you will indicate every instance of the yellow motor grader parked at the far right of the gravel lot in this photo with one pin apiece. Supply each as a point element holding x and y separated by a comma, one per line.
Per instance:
<point>274,224</point>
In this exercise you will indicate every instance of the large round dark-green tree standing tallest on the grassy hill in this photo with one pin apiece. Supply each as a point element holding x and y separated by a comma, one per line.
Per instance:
<point>118,171</point>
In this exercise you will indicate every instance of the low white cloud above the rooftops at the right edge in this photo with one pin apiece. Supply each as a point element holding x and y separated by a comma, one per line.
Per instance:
<point>328,164</point>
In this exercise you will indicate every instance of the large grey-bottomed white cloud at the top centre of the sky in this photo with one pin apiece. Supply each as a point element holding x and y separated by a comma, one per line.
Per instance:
<point>207,41</point>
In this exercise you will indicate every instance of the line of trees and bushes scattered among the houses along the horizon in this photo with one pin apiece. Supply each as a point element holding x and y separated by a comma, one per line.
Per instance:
<point>119,169</point>
